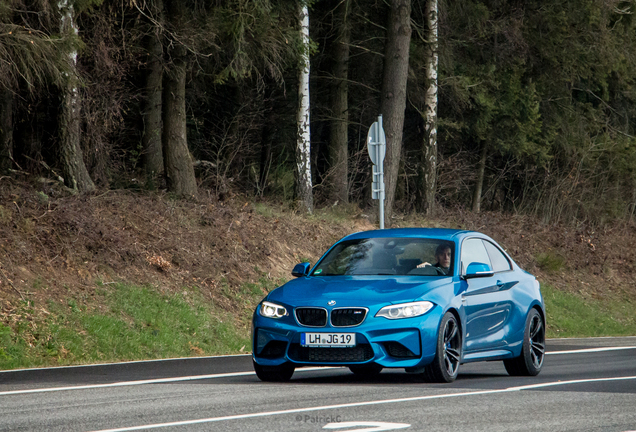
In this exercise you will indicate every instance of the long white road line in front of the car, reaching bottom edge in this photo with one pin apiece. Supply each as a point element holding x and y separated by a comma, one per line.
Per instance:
<point>359,404</point>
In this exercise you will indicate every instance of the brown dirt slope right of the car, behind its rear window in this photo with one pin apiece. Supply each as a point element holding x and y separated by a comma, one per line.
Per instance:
<point>593,262</point>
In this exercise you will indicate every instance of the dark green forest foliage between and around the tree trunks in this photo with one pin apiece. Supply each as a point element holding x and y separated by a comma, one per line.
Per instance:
<point>546,87</point>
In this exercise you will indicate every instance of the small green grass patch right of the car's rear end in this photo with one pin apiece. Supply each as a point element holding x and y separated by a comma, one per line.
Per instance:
<point>570,315</point>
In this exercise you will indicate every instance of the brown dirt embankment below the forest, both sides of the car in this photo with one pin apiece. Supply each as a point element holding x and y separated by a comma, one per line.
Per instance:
<point>53,247</point>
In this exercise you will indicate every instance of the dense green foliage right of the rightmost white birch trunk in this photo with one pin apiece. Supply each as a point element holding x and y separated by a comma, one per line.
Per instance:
<point>548,87</point>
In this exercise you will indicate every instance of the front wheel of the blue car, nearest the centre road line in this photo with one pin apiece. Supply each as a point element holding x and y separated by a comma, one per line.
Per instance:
<point>448,355</point>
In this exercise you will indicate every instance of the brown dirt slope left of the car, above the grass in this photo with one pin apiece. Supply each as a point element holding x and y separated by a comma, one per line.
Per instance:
<point>53,248</point>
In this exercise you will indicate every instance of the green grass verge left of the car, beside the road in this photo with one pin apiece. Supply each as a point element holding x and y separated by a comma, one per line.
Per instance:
<point>133,323</point>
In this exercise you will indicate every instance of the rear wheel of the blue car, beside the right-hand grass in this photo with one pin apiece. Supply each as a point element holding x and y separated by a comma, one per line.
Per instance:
<point>530,362</point>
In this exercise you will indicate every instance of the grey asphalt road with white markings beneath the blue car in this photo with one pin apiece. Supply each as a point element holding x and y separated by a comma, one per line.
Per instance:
<point>585,385</point>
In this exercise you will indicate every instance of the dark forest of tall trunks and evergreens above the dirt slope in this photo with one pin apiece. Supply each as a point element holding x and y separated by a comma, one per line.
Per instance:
<point>502,105</point>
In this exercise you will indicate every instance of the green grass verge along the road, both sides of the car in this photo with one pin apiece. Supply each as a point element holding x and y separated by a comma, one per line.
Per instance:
<point>136,323</point>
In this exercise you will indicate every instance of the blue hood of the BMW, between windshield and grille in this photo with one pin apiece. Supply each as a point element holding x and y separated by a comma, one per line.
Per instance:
<point>356,290</point>
